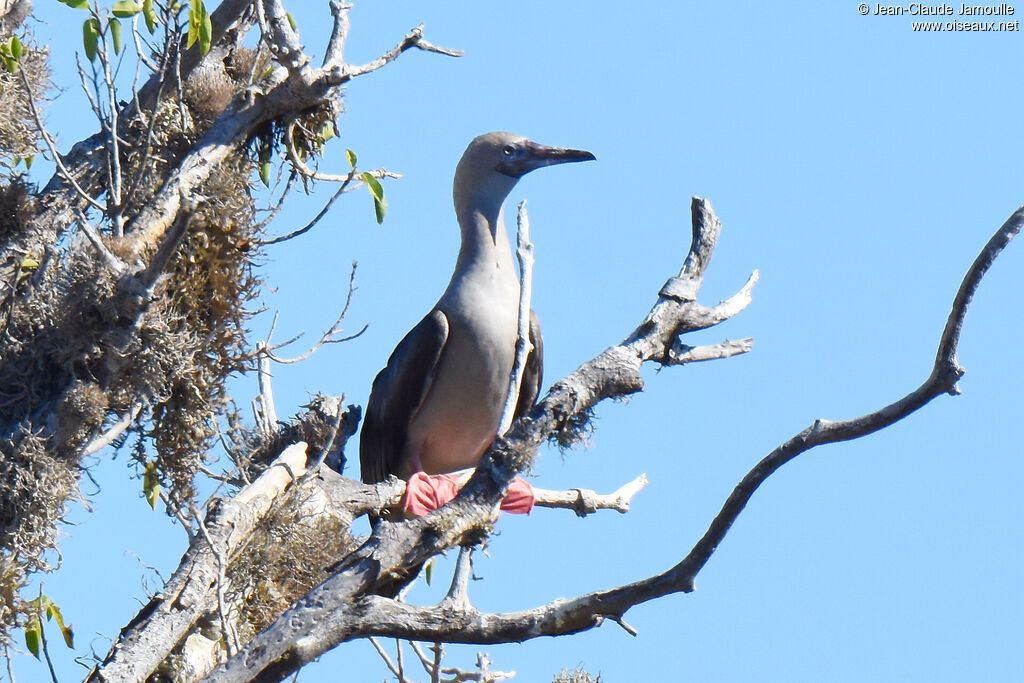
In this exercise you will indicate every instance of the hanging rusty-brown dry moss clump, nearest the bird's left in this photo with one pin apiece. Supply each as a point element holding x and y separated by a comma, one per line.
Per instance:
<point>195,337</point>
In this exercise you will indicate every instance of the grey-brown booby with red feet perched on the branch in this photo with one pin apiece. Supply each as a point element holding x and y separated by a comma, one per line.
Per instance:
<point>435,409</point>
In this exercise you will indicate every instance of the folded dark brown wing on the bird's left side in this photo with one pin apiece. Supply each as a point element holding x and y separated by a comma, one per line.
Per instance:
<point>398,395</point>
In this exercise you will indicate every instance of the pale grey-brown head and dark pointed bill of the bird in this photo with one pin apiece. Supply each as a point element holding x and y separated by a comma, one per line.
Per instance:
<point>495,162</point>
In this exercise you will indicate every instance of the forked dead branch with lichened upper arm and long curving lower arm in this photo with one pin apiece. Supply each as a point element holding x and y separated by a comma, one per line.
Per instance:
<point>326,618</point>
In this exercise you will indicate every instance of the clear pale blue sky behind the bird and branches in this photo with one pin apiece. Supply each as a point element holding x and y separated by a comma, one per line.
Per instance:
<point>860,165</point>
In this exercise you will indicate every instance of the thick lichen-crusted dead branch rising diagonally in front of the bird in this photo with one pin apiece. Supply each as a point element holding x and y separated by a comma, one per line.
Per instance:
<point>323,620</point>
